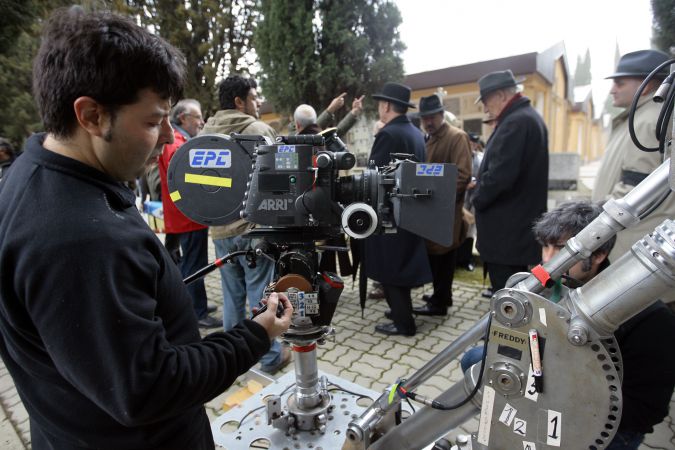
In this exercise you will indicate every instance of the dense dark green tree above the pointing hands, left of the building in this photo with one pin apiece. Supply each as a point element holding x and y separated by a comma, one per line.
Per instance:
<point>311,50</point>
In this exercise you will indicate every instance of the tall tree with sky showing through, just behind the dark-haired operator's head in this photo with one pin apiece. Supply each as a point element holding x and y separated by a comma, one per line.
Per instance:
<point>214,35</point>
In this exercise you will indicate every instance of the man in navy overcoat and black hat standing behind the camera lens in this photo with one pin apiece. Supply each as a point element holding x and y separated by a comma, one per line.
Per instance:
<point>398,261</point>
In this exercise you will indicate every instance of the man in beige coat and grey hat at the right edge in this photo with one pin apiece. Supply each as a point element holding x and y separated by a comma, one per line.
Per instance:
<point>623,164</point>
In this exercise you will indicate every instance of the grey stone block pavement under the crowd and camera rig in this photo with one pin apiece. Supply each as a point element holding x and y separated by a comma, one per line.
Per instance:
<point>358,355</point>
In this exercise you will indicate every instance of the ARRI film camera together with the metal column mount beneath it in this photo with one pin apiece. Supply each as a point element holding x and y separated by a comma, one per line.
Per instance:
<point>292,190</point>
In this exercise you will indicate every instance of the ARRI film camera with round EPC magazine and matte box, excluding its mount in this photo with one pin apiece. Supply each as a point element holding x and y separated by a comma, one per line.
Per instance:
<point>293,187</point>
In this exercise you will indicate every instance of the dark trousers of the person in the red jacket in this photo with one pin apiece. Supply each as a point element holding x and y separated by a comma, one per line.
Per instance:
<point>194,245</point>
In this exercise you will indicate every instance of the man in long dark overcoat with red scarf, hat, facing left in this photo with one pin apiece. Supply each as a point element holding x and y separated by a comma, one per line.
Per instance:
<point>512,181</point>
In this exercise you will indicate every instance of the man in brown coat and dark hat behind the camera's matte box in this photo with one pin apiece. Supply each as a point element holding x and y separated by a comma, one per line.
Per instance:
<point>444,144</point>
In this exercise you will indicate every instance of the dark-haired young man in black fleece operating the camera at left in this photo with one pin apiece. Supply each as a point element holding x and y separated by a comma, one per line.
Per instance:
<point>97,327</point>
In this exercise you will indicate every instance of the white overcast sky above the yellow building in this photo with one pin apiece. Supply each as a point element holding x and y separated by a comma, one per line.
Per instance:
<point>444,33</point>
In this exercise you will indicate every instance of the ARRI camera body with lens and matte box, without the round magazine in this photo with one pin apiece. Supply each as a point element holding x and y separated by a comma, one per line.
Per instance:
<point>296,183</point>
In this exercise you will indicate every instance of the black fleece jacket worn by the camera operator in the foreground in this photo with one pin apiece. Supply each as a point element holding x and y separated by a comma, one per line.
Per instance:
<point>96,326</point>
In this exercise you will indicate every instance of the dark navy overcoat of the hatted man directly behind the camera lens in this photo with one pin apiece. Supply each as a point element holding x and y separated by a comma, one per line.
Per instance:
<point>398,259</point>
